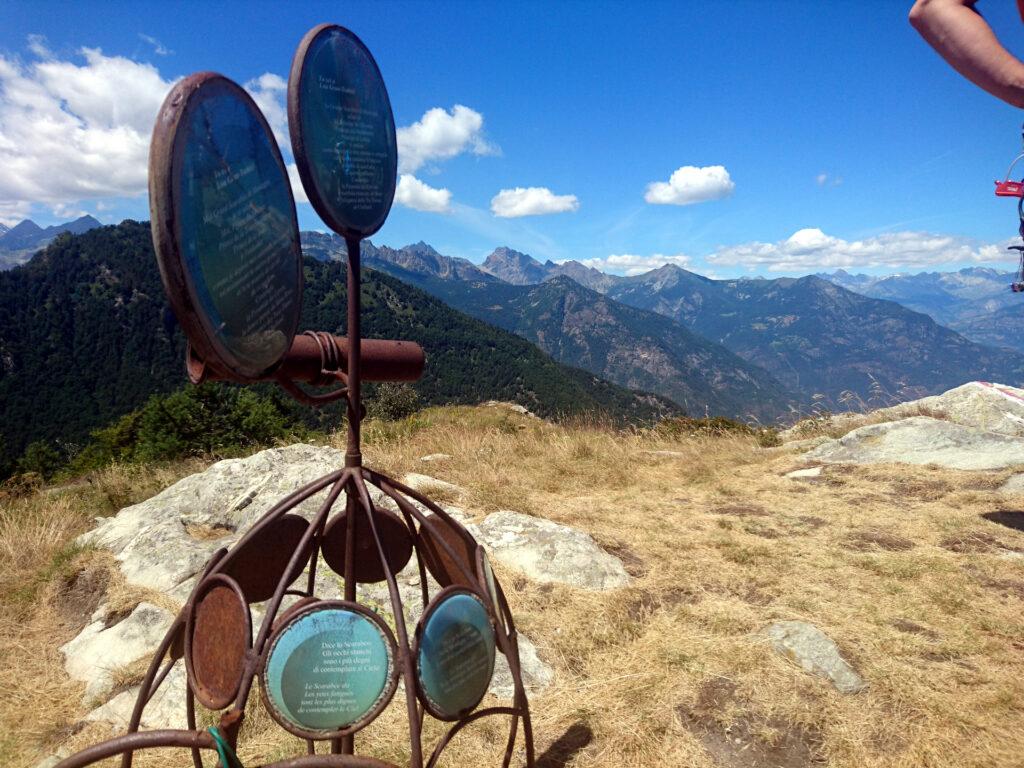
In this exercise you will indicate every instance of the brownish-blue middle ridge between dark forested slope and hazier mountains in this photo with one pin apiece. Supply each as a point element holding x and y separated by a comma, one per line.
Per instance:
<point>632,348</point>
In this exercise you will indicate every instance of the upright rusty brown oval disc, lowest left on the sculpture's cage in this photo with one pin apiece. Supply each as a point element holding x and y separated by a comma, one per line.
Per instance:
<point>218,637</point>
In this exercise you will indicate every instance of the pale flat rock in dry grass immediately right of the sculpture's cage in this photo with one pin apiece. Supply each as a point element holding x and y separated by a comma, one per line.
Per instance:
<point>548,552</point>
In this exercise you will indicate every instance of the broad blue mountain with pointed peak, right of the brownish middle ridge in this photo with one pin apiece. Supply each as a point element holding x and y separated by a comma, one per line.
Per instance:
<point>818,337</point>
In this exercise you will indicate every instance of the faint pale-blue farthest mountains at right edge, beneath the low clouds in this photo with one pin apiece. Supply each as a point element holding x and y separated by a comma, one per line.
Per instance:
<point>975,302</point>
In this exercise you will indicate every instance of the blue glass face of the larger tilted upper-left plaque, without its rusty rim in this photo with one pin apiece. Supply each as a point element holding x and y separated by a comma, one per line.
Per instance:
<point>237,231</point>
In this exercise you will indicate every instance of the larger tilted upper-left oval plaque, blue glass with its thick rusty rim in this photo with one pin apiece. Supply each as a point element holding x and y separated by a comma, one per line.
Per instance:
<point>225,227</point>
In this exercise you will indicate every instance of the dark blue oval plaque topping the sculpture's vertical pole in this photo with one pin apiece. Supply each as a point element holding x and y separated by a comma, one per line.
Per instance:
<point>343,132</point>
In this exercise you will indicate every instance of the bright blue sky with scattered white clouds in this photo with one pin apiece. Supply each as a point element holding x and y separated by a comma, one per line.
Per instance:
<point>821,135</point>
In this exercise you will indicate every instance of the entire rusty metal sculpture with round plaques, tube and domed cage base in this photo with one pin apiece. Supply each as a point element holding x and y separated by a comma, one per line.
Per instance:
<point>227,239</point>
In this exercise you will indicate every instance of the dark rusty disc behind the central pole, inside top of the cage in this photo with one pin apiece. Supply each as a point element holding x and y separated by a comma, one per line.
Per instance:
<point>396,540</point>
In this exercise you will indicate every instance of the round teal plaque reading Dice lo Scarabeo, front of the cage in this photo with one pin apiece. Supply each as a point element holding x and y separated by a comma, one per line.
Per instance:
<point>330,670</point>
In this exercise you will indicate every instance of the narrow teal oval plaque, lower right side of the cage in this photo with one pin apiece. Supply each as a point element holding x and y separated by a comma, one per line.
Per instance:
<point>455,654</point>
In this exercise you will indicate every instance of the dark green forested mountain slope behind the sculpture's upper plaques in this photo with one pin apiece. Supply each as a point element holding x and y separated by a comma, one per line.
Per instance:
<point>87,336</point>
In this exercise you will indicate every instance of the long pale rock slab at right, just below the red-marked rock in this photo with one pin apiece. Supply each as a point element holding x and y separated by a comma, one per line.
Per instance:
<point>922,440</point>
